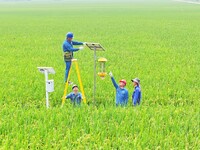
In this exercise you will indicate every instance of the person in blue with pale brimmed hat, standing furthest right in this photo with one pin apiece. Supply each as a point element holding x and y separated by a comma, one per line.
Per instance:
<point>136,96</point>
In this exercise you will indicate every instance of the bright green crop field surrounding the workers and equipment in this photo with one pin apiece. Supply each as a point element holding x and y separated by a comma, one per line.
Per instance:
<point>159,42</point>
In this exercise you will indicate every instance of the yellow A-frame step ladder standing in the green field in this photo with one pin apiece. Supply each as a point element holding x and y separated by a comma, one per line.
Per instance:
<point>74,61</point>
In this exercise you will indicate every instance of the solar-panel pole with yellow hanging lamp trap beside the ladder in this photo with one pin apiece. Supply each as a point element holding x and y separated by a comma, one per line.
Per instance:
<point>97,47</point>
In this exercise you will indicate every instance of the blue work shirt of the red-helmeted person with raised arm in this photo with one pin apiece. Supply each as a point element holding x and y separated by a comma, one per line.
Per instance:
<point>121,94</point>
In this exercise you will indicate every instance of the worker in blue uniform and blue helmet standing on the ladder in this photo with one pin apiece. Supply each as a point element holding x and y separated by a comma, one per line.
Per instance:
<point>68,52</point>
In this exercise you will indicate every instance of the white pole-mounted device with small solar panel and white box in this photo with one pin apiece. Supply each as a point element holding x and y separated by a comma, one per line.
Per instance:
<point>48,83</point>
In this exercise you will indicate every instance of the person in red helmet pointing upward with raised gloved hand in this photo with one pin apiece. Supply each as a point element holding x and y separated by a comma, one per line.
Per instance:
<point>121,91</point>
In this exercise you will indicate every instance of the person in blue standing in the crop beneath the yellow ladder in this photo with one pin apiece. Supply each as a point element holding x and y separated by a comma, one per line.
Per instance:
<point>75,96</point>
